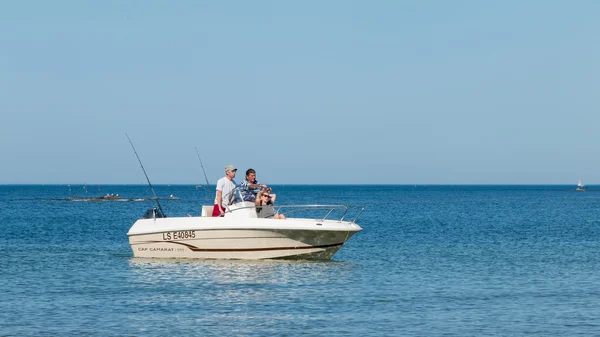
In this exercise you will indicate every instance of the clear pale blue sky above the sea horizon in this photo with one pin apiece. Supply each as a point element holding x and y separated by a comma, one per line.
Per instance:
<point>305,92</point>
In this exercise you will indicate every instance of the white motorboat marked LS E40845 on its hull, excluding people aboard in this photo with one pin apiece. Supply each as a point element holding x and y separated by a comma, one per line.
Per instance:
<point>240,234</point>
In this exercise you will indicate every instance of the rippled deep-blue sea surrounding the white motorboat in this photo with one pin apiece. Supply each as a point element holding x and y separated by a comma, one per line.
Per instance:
<point>431,261</point>
